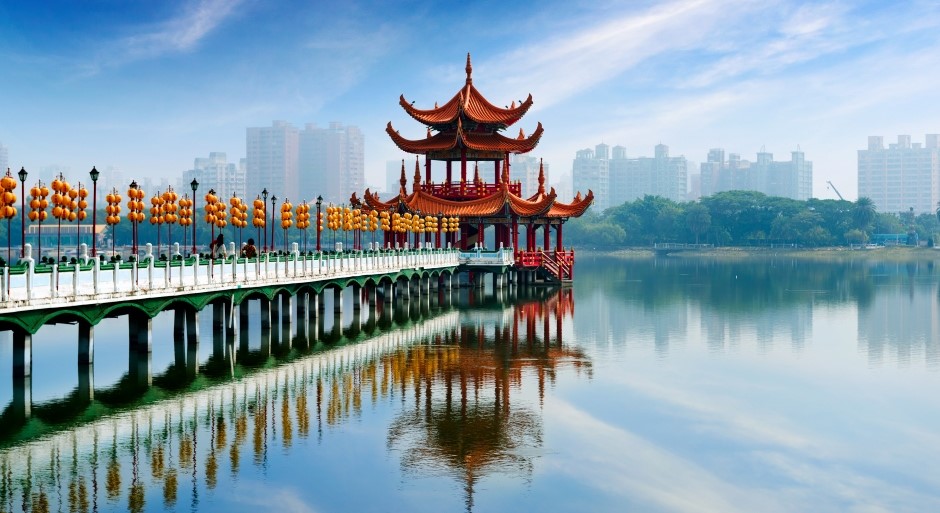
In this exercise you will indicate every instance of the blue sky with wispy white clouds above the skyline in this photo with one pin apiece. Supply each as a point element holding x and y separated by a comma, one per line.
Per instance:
<point>147,86</point>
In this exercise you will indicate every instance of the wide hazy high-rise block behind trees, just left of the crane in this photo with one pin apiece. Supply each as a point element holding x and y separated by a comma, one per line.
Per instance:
<point>787,179</point>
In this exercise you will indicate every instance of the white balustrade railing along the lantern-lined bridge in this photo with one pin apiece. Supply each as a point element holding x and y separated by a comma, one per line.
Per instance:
<point>29,288</point>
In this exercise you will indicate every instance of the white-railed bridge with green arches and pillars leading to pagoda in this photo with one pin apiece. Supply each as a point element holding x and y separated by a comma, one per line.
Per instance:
<point>87,292</point>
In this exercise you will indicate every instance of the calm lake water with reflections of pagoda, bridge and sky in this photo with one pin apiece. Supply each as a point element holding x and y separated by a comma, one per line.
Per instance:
<point>651,385</point>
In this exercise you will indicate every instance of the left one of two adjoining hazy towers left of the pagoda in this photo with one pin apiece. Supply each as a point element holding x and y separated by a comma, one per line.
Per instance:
<point>272,160</point>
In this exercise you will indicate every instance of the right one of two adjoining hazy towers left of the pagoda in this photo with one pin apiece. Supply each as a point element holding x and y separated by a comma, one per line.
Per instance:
<point>331,162</point>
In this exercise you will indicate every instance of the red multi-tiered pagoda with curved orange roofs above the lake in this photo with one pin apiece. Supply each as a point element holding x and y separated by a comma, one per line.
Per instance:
<point>467,129</point>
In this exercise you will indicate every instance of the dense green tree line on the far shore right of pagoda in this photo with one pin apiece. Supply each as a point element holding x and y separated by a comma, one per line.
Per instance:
<point>745,218</point>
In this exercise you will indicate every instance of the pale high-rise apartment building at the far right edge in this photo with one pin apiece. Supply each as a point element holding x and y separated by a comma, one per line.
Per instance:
<point>901,176</point>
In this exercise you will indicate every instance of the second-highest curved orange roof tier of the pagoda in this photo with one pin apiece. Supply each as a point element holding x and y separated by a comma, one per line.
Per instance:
<point>479,141</point>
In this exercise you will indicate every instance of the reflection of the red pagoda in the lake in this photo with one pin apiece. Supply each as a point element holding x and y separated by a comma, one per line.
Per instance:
<point>471,429</point>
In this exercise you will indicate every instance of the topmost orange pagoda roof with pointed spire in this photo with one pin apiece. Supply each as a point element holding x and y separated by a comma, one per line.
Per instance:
<point>468,102</point>
